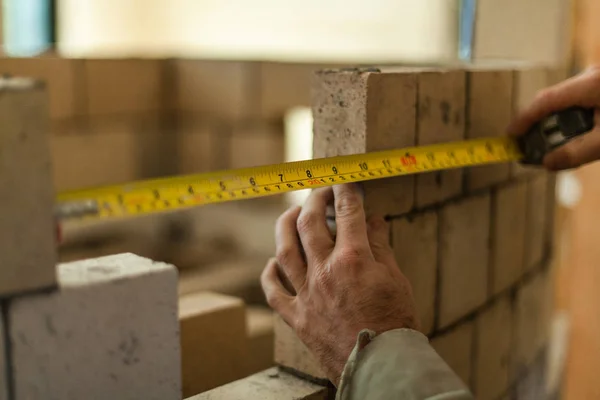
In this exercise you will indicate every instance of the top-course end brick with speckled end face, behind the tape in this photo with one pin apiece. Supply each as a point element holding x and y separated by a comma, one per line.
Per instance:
<point>358,112</point>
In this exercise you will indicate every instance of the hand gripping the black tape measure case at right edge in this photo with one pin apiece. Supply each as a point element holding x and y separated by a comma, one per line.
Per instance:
<point>581,90</point>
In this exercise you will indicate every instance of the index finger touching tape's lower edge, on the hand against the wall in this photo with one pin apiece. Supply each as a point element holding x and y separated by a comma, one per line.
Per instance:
<point>350,219</point>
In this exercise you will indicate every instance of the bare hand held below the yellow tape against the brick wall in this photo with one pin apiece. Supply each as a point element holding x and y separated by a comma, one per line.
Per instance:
<point>343,284</point>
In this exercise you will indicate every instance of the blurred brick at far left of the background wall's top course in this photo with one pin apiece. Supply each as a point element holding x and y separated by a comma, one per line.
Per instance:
<point>60,76</point>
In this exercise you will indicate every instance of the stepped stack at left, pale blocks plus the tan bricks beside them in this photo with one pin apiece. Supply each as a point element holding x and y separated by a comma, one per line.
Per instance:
<point>111,327</point>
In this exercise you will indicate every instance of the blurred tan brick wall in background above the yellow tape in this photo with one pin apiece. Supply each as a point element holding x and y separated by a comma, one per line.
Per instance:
<point>117,120</point>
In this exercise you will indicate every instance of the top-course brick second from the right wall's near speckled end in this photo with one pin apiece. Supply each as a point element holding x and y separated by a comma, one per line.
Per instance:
<point>441,119</point>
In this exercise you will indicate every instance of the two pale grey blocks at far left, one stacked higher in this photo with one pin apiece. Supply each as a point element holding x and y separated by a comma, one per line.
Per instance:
<point>103,328</point>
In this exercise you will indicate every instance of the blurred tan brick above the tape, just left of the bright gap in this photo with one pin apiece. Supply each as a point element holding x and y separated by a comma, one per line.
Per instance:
<point>252,146</point>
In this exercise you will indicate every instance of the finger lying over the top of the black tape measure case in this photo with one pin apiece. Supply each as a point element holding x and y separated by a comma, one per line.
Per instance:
<point>582,90</point>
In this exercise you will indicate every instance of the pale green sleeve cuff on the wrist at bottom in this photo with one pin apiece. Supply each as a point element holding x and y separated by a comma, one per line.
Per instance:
<point>398,364</point>
